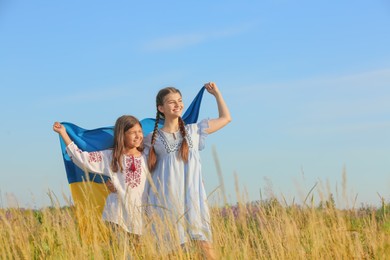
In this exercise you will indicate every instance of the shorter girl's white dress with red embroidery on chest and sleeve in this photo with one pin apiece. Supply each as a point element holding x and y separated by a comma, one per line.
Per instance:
<point>126,205</point>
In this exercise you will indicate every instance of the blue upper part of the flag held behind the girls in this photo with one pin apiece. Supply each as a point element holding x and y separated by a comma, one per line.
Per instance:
<point>102,138</point>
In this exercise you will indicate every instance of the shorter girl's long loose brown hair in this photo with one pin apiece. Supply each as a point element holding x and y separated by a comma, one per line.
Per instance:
<point>122,124</point>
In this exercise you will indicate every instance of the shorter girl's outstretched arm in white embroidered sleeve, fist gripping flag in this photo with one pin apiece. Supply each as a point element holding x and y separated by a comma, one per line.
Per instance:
<point>90,161</point>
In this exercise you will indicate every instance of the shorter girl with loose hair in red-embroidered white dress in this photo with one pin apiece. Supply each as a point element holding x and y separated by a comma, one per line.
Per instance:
<point>126,166</point>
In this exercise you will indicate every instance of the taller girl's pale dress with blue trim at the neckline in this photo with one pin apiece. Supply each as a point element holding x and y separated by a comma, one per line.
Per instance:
<point>180,200</point>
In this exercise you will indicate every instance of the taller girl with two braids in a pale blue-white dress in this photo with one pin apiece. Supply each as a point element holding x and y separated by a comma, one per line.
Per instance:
<point>179,197</point>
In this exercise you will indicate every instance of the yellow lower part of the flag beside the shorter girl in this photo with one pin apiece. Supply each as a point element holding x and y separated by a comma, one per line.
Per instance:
<point>89,199</point>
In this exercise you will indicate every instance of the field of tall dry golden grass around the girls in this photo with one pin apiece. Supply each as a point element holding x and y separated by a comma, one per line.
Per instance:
<point>264,229</point>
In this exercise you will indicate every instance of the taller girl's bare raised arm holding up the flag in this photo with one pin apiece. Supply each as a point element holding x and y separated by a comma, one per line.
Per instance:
<point>224,113</point>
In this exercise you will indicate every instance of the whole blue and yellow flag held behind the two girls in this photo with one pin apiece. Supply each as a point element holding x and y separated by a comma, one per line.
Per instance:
<point>89,188</point>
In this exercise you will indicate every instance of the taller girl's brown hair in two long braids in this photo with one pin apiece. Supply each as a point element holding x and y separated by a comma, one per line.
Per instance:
<point>152,158</point>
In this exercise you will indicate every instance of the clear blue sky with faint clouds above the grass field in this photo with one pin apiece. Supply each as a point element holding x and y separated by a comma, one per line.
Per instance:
<point>307,83</point>
